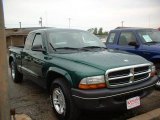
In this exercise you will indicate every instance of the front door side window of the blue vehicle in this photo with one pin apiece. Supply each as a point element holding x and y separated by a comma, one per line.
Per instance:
<point>126,38</point>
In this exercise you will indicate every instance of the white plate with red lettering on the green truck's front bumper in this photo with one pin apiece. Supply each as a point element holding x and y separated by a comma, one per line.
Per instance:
<point>133,102</point>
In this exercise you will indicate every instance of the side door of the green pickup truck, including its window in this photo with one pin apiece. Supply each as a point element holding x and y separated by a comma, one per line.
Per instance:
<point>37,56</point>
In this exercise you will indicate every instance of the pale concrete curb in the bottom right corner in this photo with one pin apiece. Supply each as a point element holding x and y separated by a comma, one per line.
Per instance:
<point>152,115</point>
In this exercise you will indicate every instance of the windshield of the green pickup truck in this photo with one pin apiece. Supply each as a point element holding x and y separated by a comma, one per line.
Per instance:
<point>73,39</point>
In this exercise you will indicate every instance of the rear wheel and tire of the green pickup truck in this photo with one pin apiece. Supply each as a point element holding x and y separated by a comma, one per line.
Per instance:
<point>17,77</point>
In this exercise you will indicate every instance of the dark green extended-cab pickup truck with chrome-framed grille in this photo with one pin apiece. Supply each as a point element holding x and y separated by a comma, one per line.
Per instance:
<point>80,73</point>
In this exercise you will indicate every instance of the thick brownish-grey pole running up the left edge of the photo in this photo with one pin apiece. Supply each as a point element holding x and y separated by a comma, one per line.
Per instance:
<point>4,99</point>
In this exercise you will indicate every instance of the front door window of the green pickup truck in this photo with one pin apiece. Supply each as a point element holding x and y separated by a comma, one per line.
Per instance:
<point>37,43</point>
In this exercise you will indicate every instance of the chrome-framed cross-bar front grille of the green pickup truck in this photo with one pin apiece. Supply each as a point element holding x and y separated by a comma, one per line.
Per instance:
<point>127,75</point>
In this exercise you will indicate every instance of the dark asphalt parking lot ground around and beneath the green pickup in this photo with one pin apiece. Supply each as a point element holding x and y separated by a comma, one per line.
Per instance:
<point>30,99</point>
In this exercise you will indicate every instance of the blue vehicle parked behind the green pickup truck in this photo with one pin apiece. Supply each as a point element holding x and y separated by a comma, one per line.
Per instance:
<point>141,41</point>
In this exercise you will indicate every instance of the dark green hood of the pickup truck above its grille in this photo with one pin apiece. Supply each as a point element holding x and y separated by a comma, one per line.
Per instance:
<point>103,59</point>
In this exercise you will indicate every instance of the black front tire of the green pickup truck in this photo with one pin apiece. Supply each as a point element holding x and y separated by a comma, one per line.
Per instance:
<point>71,112</point>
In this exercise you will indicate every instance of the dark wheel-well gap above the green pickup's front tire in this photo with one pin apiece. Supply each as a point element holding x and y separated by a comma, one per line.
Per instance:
<point>51,76</point>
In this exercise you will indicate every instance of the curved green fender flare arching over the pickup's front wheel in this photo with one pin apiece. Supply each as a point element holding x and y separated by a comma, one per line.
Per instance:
<point>61,72</point>
